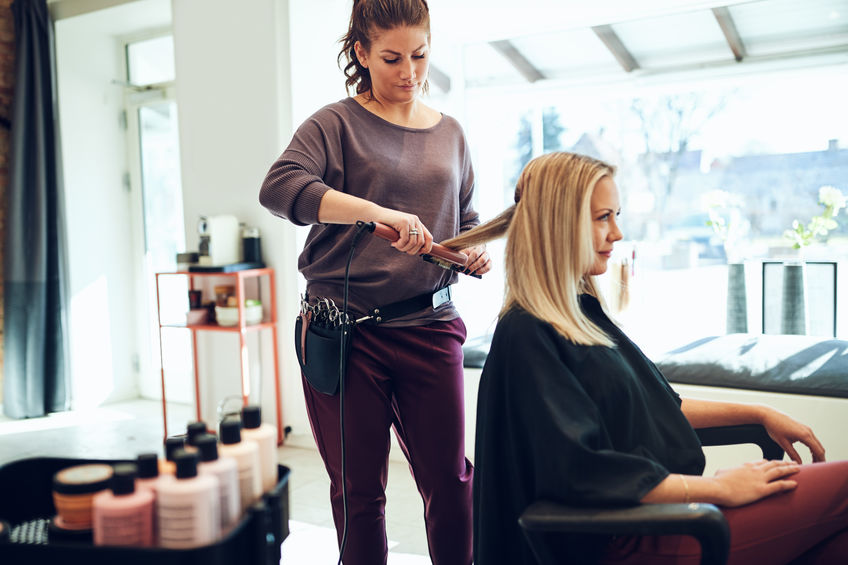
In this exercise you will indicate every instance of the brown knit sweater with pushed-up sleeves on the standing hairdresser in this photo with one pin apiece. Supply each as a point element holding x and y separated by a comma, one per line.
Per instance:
<point>426,172</point>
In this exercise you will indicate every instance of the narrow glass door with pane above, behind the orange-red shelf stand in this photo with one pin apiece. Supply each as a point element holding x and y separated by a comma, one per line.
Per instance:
<point>154,180</point>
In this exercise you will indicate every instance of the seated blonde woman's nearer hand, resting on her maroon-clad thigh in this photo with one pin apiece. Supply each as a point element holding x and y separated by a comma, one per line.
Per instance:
<point>753,481</point>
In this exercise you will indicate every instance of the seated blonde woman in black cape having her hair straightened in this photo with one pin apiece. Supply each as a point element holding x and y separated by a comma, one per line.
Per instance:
<point>571,410</point>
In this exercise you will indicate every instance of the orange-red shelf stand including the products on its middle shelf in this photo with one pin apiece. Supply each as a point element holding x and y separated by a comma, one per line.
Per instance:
<point>243,316</point>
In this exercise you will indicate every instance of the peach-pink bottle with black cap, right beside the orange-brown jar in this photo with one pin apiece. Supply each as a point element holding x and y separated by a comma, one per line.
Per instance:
<point>123,515</point>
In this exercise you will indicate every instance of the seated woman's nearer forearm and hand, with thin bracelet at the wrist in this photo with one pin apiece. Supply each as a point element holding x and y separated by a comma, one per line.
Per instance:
<point>733,487</point>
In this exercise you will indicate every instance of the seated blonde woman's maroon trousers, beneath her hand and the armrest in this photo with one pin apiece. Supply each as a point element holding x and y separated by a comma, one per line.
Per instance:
<point>804,526</point>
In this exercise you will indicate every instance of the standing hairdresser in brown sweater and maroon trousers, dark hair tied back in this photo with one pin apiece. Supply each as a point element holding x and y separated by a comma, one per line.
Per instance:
<point>384,156</point>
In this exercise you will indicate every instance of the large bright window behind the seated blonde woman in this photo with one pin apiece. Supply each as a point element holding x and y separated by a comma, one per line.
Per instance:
<point>767,142</point>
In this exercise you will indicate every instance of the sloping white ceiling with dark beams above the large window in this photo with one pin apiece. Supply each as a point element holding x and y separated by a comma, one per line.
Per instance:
<point>561,39</point>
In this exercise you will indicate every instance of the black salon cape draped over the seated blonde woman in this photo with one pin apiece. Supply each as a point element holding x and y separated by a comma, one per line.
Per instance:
<point>581,425</point>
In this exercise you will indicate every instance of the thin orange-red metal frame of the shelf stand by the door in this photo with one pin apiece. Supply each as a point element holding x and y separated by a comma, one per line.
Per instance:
<point>257,279</point>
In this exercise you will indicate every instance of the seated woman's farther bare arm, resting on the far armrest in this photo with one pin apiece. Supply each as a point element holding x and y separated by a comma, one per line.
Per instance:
<point>782,429</point>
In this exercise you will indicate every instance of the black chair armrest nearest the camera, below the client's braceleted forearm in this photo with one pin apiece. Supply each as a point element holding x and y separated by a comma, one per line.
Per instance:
<point>704,522</point>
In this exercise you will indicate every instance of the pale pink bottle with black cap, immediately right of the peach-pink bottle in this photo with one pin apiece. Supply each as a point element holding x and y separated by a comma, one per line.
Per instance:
<point>187,508</point>
